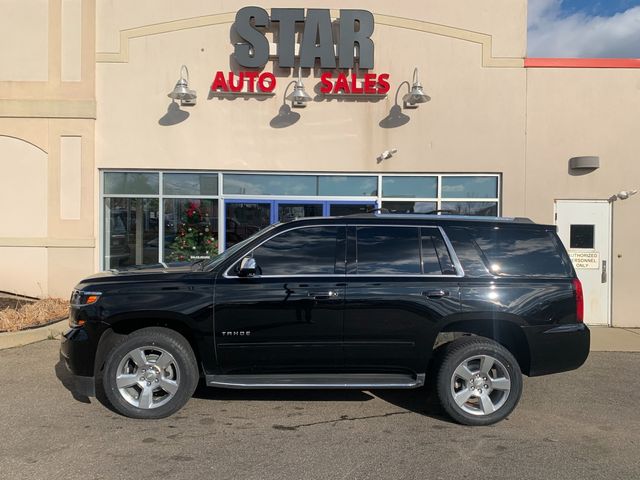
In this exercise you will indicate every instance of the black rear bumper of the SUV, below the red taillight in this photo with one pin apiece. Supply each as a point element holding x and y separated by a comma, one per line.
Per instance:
<point>557,349</point>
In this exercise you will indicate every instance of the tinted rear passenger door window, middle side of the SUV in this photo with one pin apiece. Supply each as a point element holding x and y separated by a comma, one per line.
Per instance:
<point>388,250</point>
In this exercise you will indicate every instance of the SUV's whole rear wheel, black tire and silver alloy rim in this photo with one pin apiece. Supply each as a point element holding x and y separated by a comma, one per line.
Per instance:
<point>479,381</point>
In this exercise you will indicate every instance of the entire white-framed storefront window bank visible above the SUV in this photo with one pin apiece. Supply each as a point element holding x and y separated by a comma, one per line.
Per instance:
<point>152,217</point>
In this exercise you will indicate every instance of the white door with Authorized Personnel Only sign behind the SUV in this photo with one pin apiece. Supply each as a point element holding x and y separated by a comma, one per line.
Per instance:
<point>584,226</point>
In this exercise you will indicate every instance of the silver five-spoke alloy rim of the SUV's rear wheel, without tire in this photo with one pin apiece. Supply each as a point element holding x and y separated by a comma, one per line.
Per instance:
<point>480,385</point>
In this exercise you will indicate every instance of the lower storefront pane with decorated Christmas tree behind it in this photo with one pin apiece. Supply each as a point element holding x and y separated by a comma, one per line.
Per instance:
<point>190,229</point>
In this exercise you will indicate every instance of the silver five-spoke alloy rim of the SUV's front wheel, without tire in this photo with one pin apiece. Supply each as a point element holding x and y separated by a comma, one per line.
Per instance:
<point>148,377</point>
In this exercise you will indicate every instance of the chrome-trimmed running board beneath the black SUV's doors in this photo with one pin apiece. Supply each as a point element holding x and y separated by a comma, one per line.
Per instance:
<point>318,381</point>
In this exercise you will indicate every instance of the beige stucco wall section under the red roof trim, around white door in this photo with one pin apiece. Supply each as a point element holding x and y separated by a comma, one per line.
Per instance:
<point>574,112</point>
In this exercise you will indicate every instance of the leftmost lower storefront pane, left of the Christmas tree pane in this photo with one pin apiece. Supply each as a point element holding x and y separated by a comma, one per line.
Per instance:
<point>131,231</point>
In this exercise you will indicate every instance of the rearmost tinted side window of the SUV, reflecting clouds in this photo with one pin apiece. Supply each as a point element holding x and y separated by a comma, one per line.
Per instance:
<point>520,252</point>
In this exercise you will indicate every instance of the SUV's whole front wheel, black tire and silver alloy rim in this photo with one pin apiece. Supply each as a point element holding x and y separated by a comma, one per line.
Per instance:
<point>152,373</point>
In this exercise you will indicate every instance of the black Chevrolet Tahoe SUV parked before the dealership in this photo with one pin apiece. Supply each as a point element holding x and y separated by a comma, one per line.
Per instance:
<point>364,302</point>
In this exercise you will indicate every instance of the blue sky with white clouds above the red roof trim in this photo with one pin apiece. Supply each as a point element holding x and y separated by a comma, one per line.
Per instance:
<point>584,28</point>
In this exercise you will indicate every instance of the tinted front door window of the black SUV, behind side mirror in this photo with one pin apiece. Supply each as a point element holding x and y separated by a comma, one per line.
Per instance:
<point>303,251</point>
